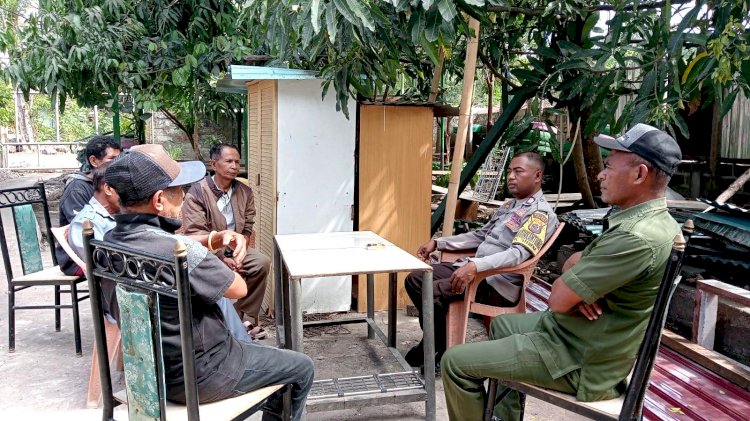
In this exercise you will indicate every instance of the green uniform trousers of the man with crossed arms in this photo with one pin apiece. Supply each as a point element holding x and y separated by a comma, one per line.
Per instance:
<point>508,355</point>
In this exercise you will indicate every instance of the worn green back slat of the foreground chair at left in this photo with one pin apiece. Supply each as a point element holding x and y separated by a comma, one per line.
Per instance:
<point>138,355</point>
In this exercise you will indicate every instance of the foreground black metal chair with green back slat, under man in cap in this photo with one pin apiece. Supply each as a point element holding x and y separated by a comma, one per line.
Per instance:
<point>142,280</point>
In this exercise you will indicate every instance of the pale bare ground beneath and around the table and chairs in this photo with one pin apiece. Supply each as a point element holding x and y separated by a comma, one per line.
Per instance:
<point>44,378</point>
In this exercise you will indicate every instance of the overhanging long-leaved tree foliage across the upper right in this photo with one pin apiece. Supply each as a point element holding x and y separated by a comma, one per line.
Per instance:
<point>655,61</point>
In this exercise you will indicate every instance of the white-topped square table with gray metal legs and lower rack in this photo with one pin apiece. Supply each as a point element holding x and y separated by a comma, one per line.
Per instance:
<point>300,256</point>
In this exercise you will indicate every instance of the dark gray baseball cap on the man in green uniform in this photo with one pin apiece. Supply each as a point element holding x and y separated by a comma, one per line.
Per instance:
<point>648,142</point>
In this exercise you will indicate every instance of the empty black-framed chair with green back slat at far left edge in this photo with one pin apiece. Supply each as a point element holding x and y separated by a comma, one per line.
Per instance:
<point>12,198</point>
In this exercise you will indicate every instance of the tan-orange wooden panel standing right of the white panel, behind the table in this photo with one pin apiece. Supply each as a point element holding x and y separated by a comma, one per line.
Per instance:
<point>394,184</point>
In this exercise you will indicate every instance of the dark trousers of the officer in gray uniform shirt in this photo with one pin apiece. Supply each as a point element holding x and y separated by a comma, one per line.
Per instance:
<point>443,295</point>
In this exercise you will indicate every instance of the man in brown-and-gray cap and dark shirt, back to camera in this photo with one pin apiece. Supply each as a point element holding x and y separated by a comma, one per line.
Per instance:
<point>150,185</point>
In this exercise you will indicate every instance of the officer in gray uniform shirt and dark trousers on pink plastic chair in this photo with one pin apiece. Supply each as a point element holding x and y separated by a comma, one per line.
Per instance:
<point>516,231</point>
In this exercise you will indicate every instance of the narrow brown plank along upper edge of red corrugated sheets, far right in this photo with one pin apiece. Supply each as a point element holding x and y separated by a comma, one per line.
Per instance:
<point>725,367</point>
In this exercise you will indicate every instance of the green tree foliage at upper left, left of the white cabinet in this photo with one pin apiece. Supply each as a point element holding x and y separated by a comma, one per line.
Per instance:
<point>165,54</point>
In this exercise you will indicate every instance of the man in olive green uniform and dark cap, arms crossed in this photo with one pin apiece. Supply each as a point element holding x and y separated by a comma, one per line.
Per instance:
<point>586,343</point>
